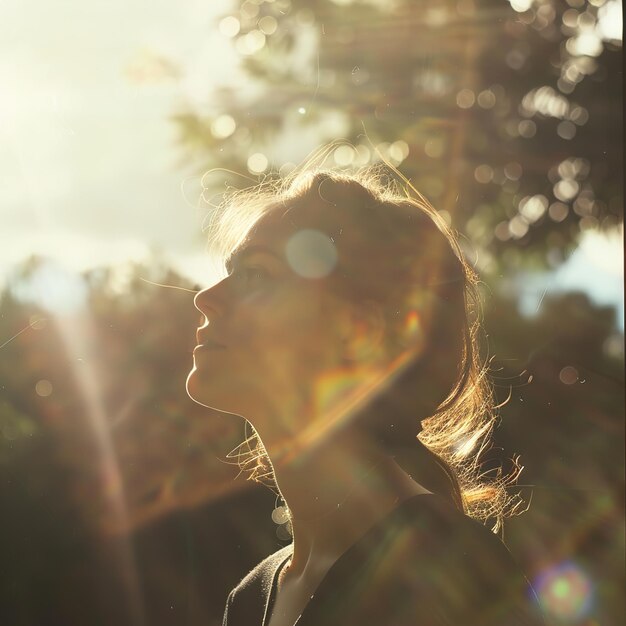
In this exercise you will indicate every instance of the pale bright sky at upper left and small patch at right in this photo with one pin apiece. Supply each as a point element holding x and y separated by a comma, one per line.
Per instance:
<point>89,169</point>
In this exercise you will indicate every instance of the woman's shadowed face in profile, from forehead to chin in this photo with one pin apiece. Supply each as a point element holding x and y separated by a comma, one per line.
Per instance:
<point>272,335</point>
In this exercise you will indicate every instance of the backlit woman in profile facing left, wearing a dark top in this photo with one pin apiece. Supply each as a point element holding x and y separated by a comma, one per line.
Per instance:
<point>345,328</point>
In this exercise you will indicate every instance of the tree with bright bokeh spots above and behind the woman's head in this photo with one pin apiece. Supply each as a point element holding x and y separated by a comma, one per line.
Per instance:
<point>508,120</point>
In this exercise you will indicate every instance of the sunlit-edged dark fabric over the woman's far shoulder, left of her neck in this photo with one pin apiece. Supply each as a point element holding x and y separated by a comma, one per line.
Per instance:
<point>247,601</point>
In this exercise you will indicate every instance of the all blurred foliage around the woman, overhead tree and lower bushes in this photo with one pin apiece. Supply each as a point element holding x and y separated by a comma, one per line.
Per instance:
<point>508,117</point>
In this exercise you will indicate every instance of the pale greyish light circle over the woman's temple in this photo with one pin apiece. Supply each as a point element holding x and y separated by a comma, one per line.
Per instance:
<point>311,253</point>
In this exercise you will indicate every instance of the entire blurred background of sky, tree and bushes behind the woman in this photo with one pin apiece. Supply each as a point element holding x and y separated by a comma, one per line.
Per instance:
<point>122,124</point>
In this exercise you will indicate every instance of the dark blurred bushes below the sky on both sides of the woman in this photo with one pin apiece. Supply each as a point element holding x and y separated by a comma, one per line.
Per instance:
<point>62,495</point>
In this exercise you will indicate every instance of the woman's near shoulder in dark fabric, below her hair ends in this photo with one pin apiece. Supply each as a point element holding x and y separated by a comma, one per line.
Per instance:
<point>429,559</point>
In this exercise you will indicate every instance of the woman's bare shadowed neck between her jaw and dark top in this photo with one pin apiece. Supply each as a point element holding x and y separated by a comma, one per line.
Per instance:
<point>335,493</point>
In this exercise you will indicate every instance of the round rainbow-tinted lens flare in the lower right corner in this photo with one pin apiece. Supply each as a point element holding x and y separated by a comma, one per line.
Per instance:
<point>565,592</point>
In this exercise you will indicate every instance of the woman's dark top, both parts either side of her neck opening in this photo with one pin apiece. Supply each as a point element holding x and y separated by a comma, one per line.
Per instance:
<point>425,564</point>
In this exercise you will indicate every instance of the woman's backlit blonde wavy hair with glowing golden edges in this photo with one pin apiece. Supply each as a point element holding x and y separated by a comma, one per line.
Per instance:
<point>410,244</point>
